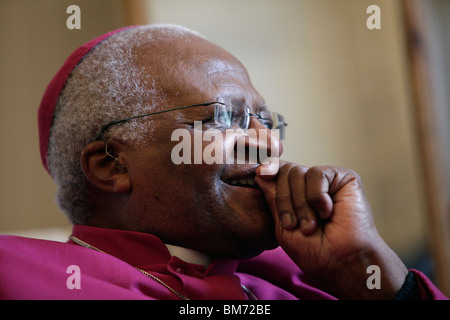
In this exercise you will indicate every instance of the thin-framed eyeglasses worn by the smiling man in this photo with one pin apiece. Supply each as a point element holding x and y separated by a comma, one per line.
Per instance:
<point>226,116</point>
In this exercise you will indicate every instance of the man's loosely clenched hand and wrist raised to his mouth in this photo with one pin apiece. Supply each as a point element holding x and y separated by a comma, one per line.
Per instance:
<point>324,223</point>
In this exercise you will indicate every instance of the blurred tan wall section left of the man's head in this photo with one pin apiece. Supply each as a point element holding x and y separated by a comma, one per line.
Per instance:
<point>34,43</point>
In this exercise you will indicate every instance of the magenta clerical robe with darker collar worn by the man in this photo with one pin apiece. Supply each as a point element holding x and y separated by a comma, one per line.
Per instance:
<point>41,269</point>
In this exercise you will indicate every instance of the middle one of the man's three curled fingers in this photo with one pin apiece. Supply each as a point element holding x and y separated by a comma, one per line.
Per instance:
<point>305,214</point>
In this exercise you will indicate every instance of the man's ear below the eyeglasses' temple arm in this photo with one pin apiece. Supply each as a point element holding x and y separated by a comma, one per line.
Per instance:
<point>103,170</point>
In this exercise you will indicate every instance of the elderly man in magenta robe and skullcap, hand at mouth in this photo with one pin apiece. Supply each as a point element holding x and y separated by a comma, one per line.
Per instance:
<point>150,226</point>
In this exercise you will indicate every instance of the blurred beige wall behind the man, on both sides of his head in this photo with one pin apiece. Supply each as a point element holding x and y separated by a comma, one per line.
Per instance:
<point>344,89</point>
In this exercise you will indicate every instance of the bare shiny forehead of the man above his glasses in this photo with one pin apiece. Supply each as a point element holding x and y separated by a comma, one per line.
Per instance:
<point>195,70</point>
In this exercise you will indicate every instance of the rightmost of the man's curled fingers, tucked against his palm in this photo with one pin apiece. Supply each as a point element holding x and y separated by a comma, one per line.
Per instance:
<point>318,180</point>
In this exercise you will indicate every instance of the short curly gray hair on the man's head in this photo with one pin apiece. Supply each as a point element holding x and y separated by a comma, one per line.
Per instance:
<point>107,85</point>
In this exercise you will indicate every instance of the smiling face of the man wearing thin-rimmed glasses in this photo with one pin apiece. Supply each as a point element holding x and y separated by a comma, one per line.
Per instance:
<point>196,205</point>
